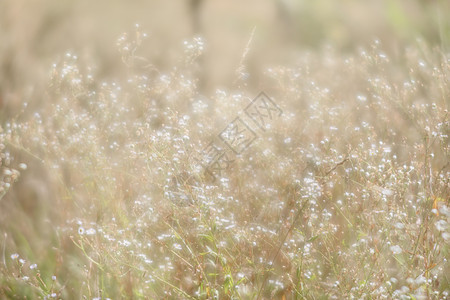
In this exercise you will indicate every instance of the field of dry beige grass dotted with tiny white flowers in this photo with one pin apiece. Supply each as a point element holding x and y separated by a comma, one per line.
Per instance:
<point>345,196</point>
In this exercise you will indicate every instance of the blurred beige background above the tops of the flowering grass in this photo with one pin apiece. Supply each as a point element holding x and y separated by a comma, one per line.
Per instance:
<point>34,33</point>
